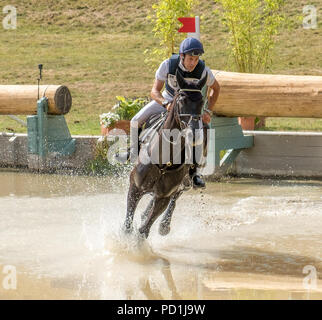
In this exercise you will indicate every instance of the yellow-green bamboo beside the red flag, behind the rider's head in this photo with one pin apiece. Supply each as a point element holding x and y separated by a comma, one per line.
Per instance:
<point>166,25</point>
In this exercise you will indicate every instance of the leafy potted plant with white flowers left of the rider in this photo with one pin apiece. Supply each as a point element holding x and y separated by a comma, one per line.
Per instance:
<point>127,108</point>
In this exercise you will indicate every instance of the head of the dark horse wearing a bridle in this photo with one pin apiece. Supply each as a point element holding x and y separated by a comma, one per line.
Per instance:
<point>189,103</point>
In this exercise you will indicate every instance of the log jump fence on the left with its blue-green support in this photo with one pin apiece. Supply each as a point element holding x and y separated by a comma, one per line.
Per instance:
<point>47,128</point>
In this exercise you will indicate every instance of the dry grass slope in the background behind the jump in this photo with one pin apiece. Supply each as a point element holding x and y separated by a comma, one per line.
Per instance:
<point>96,49</point>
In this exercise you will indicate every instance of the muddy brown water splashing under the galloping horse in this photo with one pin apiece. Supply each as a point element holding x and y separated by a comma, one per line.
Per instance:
<point>238,239</point>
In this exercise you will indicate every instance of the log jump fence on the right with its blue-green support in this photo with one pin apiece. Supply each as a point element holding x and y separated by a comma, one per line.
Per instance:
<point>259,95</point>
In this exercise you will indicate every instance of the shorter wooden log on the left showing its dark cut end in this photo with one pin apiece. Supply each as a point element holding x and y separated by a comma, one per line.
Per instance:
<point>22,99</point>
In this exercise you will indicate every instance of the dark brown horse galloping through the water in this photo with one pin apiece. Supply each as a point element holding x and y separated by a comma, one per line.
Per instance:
<point>166,181</point>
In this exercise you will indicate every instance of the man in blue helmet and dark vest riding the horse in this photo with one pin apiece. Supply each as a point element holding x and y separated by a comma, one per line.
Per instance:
<point>192,68</point>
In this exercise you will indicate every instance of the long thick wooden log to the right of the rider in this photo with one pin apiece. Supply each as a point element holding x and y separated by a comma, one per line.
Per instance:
<point>266,95</point>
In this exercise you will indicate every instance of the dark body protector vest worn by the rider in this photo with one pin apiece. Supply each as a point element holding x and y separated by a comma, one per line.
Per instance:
<point>171,84</point>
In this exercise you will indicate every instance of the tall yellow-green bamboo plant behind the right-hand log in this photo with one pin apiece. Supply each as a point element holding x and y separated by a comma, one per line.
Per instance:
<point>253,25</point>
